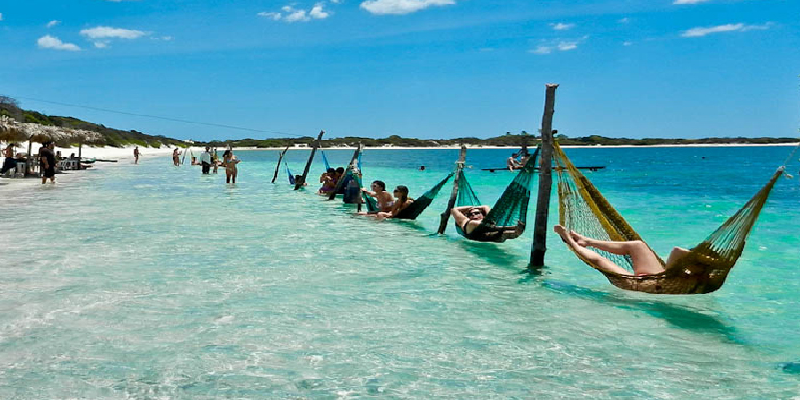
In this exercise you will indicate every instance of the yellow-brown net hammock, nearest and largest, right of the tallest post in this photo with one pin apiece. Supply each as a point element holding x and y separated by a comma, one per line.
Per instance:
<point>703,270</point>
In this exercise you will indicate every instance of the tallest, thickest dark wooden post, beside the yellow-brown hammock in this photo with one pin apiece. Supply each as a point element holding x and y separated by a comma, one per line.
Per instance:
<point>545,179</point>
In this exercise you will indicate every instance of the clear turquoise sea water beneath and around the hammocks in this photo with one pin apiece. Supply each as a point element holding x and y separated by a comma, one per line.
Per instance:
<point>151,281</point>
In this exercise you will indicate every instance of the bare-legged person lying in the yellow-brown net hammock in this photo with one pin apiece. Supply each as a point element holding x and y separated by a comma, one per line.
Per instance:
<point>644,261</point>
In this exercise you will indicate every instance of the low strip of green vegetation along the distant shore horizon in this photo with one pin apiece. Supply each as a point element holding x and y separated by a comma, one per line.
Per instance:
<point>119,138</point>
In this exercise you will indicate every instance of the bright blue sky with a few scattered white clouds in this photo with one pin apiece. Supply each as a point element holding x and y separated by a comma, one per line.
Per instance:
<point>415,68</point>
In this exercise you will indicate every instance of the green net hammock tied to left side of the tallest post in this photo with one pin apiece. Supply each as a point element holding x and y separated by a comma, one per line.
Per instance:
<point>507,218</point>
